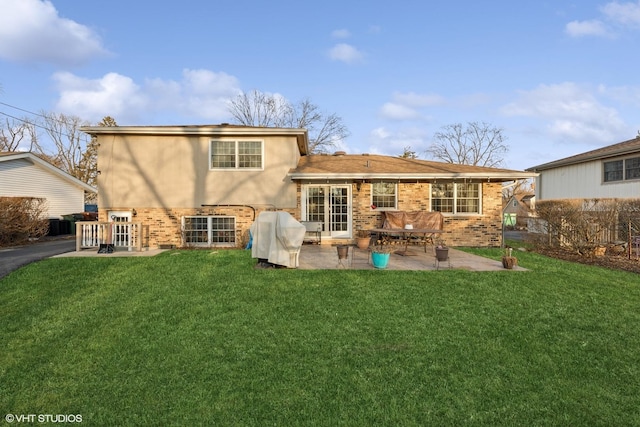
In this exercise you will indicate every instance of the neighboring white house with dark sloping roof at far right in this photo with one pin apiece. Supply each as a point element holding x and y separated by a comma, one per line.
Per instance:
<point>611,172</point>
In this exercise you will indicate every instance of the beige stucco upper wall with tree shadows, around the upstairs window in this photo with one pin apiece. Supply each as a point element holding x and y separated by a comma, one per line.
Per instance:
<point>173,172</point>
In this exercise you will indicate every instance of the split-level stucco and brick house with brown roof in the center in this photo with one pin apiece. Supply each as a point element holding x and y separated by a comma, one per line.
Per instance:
<point>205,185</point>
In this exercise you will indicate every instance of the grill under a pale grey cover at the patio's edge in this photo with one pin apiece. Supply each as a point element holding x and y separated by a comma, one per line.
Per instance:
<point>277,238</point>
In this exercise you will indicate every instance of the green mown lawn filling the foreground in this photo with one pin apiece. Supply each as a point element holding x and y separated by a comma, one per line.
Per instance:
<point>203,338</point>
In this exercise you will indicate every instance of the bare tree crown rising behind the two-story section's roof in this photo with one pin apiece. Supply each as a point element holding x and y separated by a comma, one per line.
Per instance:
<point>260,109</point>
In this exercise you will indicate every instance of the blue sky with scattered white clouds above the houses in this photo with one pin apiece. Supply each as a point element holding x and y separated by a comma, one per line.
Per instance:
<point>560,77</point>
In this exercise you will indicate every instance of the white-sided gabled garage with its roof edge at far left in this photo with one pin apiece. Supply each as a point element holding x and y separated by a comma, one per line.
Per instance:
<point>26,175</point>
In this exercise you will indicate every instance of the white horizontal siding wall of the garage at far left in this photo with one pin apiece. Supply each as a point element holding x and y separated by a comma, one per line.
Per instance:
<point>21,178</point>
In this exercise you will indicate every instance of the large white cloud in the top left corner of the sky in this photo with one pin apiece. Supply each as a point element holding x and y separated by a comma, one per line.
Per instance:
<point>31,30</point>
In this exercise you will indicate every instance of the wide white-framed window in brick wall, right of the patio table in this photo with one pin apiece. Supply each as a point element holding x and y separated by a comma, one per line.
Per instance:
<point>456,198</point>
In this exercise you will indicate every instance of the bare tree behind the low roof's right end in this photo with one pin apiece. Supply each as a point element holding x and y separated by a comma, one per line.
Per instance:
<point>477,144</point>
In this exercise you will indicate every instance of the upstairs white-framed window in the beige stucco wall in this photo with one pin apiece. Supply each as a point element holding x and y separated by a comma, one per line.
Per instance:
<point>236,155</point>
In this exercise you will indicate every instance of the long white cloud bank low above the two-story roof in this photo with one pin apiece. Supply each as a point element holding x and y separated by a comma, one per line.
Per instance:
<point>200,94</point>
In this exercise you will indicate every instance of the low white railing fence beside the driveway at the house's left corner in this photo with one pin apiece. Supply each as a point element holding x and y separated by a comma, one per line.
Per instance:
<point>129,235</point>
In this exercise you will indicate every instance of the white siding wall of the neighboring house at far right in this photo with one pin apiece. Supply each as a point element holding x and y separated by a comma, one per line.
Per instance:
<point>582,181</point>
